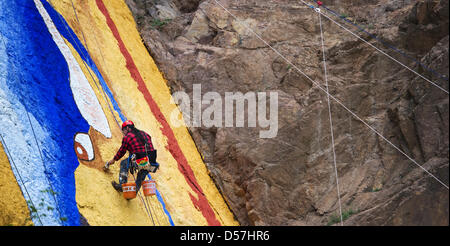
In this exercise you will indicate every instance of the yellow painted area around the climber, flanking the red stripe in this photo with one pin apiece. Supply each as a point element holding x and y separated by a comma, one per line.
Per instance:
<point>171,183</point>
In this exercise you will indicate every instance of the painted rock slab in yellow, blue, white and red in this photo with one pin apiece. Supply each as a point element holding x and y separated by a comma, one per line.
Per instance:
<point>71,71</point>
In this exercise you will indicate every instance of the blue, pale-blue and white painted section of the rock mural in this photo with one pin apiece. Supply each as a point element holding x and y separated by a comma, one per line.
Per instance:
<point>42,82</point>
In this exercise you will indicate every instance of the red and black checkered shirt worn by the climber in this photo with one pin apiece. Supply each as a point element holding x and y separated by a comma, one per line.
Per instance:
<point>131,143</point>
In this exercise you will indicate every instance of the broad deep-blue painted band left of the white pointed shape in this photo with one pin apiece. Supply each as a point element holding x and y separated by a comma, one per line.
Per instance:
<point>38,77</point>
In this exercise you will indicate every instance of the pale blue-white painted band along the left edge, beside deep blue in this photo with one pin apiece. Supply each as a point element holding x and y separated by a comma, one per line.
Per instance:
<point>16,132</point>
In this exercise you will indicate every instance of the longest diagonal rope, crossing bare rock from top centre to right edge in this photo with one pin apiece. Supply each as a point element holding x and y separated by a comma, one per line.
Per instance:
<point>331,96</point>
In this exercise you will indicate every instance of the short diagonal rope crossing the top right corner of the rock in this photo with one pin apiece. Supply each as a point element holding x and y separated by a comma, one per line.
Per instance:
<point>383,42</point>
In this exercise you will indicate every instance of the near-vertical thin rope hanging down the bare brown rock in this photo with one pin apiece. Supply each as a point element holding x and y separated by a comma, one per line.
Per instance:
<point>329,113</point>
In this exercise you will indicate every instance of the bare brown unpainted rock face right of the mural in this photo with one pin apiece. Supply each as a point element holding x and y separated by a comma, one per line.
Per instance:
<point>290,179</point>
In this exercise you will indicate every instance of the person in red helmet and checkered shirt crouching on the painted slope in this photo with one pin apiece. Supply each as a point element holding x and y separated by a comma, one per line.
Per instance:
<point>142,156</point>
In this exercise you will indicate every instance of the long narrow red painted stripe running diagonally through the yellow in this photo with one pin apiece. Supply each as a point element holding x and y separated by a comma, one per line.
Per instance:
<point>172,145</point>
